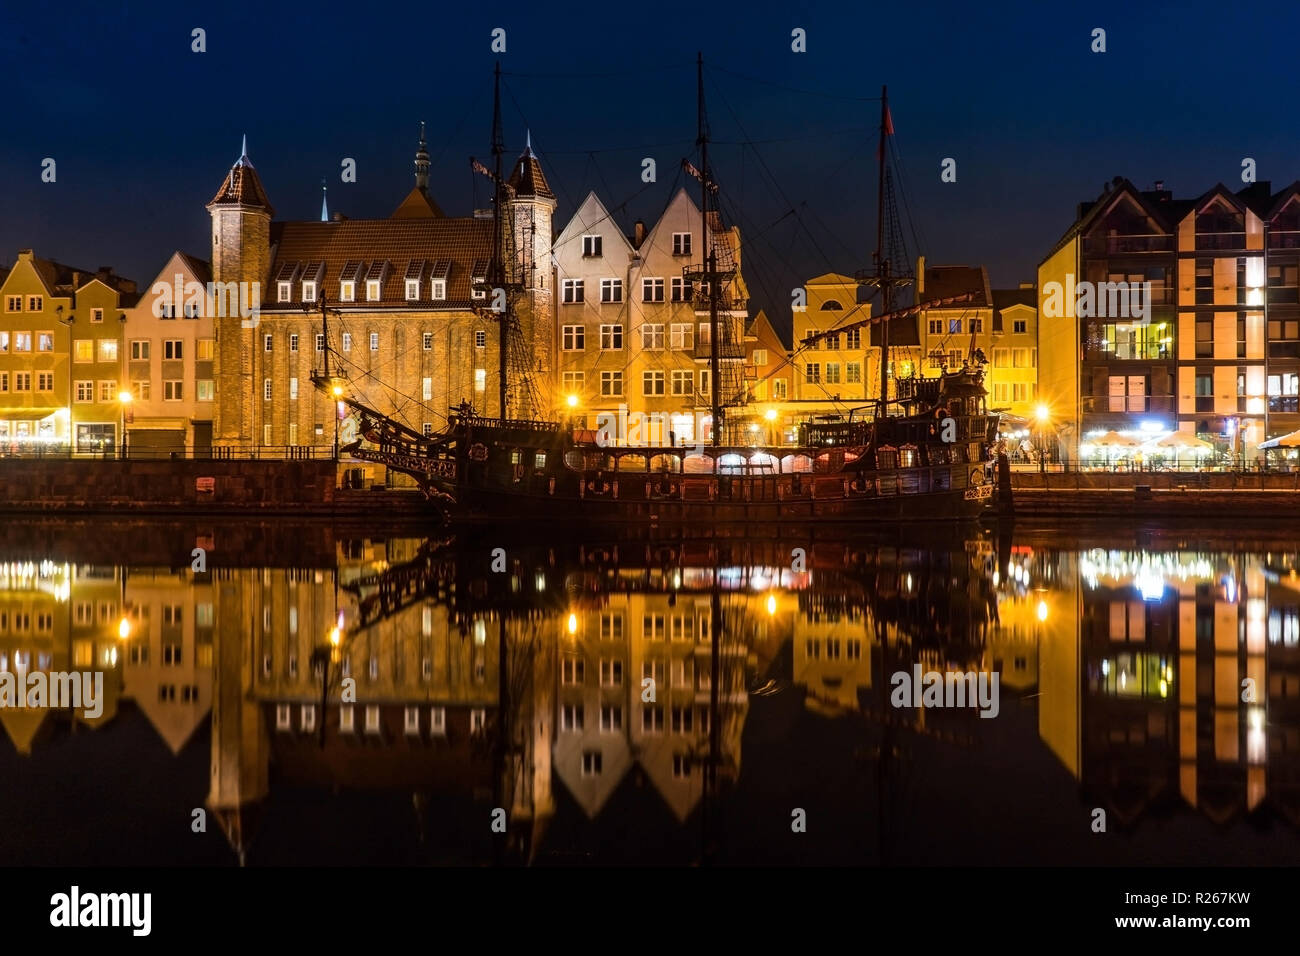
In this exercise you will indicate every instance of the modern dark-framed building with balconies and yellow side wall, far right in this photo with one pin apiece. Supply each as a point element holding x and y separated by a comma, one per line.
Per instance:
<point>1210,344</point>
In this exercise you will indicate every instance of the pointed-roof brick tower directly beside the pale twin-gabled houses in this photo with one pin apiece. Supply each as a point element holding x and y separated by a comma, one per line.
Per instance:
<point>531,207</point>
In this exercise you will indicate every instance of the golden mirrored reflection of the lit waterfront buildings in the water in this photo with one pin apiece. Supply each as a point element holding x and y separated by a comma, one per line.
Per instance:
<point>1163,680</point>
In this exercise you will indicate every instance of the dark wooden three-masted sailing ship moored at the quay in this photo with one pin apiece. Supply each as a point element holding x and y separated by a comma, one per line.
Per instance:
<point>924,453</point>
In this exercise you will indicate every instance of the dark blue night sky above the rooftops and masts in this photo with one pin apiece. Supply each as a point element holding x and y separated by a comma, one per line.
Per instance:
<point>144,129</point>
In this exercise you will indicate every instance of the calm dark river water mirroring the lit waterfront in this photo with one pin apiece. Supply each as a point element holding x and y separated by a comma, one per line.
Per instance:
<point>1120,655</point>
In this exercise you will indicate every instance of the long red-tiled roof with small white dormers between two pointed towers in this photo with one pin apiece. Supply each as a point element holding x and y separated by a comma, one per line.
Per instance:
<point>385,248</point>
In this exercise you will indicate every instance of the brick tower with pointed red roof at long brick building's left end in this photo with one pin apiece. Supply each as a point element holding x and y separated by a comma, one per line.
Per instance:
<point>241,253</point>
